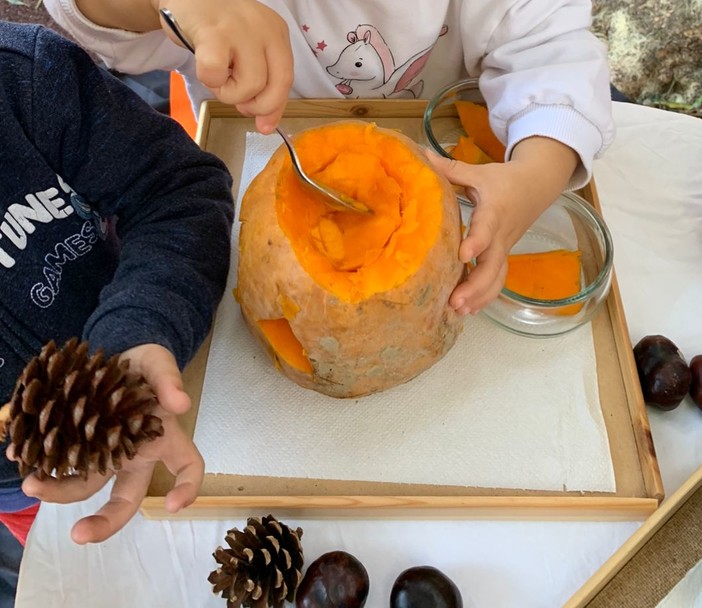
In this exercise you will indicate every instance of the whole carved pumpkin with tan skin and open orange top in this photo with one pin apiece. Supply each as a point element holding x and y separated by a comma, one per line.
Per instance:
<point>349,304</point>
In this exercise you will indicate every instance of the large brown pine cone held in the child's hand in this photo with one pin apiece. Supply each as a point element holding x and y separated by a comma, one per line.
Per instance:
<point>73,413</point>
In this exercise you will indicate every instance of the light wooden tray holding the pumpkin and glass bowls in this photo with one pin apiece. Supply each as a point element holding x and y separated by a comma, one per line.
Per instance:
<point>639,489</point>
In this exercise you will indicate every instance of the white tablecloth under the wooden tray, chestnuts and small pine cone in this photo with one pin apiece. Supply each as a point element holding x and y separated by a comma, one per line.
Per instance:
<point>650,186</point>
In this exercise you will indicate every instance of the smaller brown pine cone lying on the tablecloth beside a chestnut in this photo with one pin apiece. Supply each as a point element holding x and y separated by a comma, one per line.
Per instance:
<point>263,566</point>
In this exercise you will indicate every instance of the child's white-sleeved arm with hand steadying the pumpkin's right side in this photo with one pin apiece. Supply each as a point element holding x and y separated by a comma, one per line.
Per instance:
<point>546,82</point>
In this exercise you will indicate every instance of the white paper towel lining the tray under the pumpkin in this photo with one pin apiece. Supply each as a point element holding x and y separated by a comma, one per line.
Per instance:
<point>498,411</point>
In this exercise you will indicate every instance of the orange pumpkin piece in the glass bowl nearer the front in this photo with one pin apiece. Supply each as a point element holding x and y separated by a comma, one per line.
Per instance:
<point>546,275</point>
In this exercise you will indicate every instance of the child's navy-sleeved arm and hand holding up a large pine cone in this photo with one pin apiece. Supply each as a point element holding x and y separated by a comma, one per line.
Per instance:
<point>173,210</point>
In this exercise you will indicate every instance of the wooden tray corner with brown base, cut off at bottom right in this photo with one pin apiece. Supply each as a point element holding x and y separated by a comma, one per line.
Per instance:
<point>656,557</point>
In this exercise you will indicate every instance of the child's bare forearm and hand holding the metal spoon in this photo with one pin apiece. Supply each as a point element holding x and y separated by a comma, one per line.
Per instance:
<point>242,48</point>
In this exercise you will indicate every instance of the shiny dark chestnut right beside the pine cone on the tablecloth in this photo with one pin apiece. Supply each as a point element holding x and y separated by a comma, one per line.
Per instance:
<point>334,580</point>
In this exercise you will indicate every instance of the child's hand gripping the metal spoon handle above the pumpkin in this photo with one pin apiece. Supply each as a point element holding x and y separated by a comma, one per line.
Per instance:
<point>242,53</point>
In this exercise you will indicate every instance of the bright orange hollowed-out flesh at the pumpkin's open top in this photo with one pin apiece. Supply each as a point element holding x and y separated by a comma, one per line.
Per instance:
<point>350,255</point>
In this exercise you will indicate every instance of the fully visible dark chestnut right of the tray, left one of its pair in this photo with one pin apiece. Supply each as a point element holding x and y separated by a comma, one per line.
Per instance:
<point>663,372</point>
